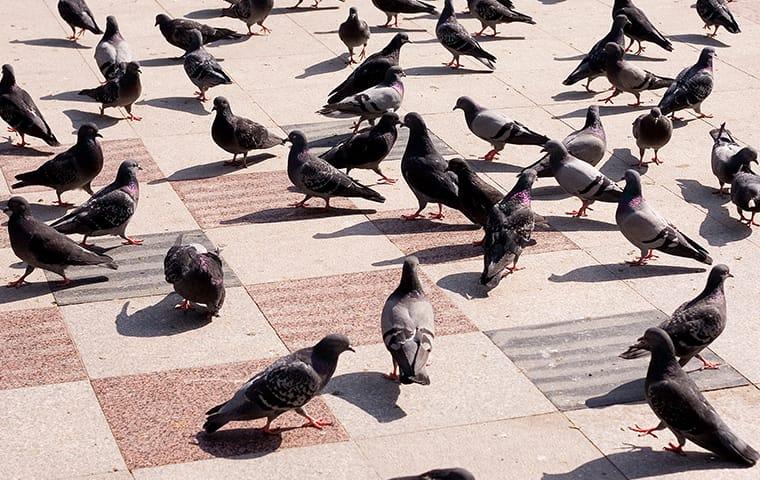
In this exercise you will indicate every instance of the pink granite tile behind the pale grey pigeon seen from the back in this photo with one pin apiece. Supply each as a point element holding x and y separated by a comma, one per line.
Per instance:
<point>303,311</point>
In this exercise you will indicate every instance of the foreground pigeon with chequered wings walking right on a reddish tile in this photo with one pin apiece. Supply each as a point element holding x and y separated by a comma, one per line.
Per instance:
<point>287,384</point>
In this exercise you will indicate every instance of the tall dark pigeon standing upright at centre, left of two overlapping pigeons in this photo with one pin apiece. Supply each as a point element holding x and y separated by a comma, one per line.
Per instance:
<point>424,170</point>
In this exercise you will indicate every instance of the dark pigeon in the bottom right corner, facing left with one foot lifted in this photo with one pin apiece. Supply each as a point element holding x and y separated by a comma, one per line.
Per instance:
<point>681,407</point>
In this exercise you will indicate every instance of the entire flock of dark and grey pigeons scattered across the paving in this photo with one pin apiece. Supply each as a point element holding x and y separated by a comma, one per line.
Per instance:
<point>373,92</point>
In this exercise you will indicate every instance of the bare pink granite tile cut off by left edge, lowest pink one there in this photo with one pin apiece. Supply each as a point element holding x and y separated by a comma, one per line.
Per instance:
<point>35,349</point>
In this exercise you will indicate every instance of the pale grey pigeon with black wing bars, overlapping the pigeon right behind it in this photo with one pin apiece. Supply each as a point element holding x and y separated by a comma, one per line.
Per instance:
<point>580,179</point>
